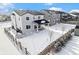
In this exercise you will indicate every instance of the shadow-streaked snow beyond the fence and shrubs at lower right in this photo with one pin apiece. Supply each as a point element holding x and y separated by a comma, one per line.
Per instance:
<point>71,48</point>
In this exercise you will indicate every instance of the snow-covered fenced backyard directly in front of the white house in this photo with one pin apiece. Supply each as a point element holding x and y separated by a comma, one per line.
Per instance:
<point>38,41</point>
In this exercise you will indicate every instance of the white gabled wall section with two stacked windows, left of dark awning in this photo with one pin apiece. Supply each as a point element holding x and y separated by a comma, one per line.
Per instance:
<point>27,22</point>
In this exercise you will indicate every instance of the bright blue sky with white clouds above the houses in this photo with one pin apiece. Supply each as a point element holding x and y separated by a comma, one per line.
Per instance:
<point>67,7</point>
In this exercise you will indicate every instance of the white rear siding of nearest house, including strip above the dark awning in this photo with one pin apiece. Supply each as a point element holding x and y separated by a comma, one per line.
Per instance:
<point>29,22</point>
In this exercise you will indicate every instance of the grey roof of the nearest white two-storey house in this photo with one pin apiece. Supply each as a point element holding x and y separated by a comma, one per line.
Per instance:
<point>22,12</point>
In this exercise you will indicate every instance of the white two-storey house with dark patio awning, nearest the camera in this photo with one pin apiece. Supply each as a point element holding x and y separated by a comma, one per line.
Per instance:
<point>27,21</point>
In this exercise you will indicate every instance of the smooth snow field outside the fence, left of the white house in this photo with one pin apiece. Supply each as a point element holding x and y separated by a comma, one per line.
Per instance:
<point>6,46</point>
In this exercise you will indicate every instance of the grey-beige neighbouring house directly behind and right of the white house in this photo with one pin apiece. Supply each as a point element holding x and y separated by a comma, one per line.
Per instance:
<point>52,16</point>
